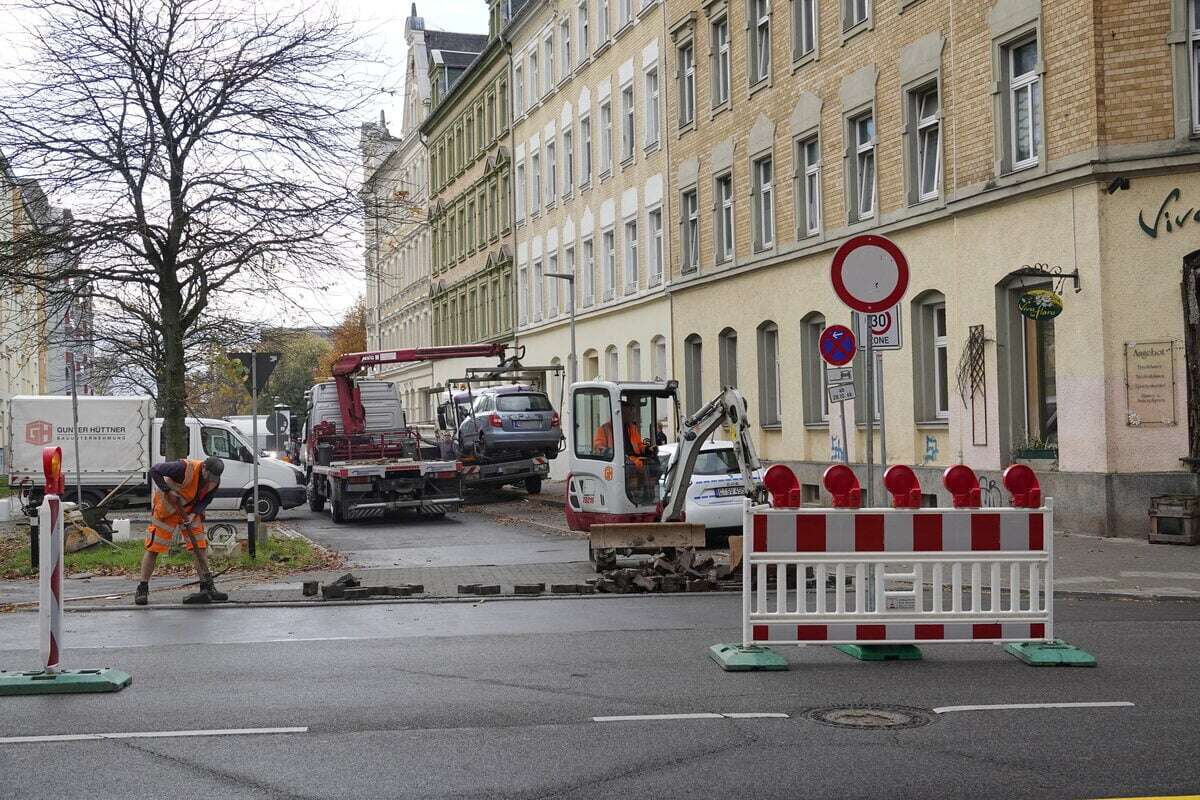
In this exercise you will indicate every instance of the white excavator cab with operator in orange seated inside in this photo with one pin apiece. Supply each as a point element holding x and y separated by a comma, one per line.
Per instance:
<point>615,462</point>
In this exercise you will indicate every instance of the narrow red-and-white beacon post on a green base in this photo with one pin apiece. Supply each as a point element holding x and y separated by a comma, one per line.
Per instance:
<point>50,679</point>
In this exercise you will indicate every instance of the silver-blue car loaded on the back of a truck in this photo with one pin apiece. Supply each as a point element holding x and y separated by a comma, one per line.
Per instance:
<point>513,420</point>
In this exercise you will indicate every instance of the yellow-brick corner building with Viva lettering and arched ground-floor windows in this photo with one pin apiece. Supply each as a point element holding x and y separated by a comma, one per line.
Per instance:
<point>1005,146</point>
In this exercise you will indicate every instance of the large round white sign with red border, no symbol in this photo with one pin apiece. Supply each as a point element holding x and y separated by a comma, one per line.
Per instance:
<point>869,273</point>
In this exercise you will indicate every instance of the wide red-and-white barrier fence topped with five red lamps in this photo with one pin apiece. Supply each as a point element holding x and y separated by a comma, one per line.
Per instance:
<point>878,582</point>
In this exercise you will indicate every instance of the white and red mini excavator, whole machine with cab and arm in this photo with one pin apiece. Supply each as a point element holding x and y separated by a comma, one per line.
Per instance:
<point>614,486</point>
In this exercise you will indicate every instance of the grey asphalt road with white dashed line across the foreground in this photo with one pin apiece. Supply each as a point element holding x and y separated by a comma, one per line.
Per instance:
<point>497,700</point>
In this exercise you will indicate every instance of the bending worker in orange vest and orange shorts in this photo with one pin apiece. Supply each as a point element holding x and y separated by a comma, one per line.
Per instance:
<point>184,490</point>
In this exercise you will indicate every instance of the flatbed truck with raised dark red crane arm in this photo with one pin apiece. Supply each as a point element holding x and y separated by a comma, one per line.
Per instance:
<point>363,459</point>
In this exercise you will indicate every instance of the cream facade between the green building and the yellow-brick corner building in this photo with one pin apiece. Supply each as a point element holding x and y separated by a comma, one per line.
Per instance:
<point>591,170</point>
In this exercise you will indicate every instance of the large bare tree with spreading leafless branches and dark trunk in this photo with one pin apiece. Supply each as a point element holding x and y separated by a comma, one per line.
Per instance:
<point>206,148</point>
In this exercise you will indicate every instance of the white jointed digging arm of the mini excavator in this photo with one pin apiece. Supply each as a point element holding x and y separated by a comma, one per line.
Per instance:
<point>728,408</point>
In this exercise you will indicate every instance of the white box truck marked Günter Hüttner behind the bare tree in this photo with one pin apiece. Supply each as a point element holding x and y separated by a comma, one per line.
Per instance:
<point>121,438</point>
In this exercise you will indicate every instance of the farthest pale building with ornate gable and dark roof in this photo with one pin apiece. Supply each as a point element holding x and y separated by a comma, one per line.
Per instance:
<point>400,311</point>
